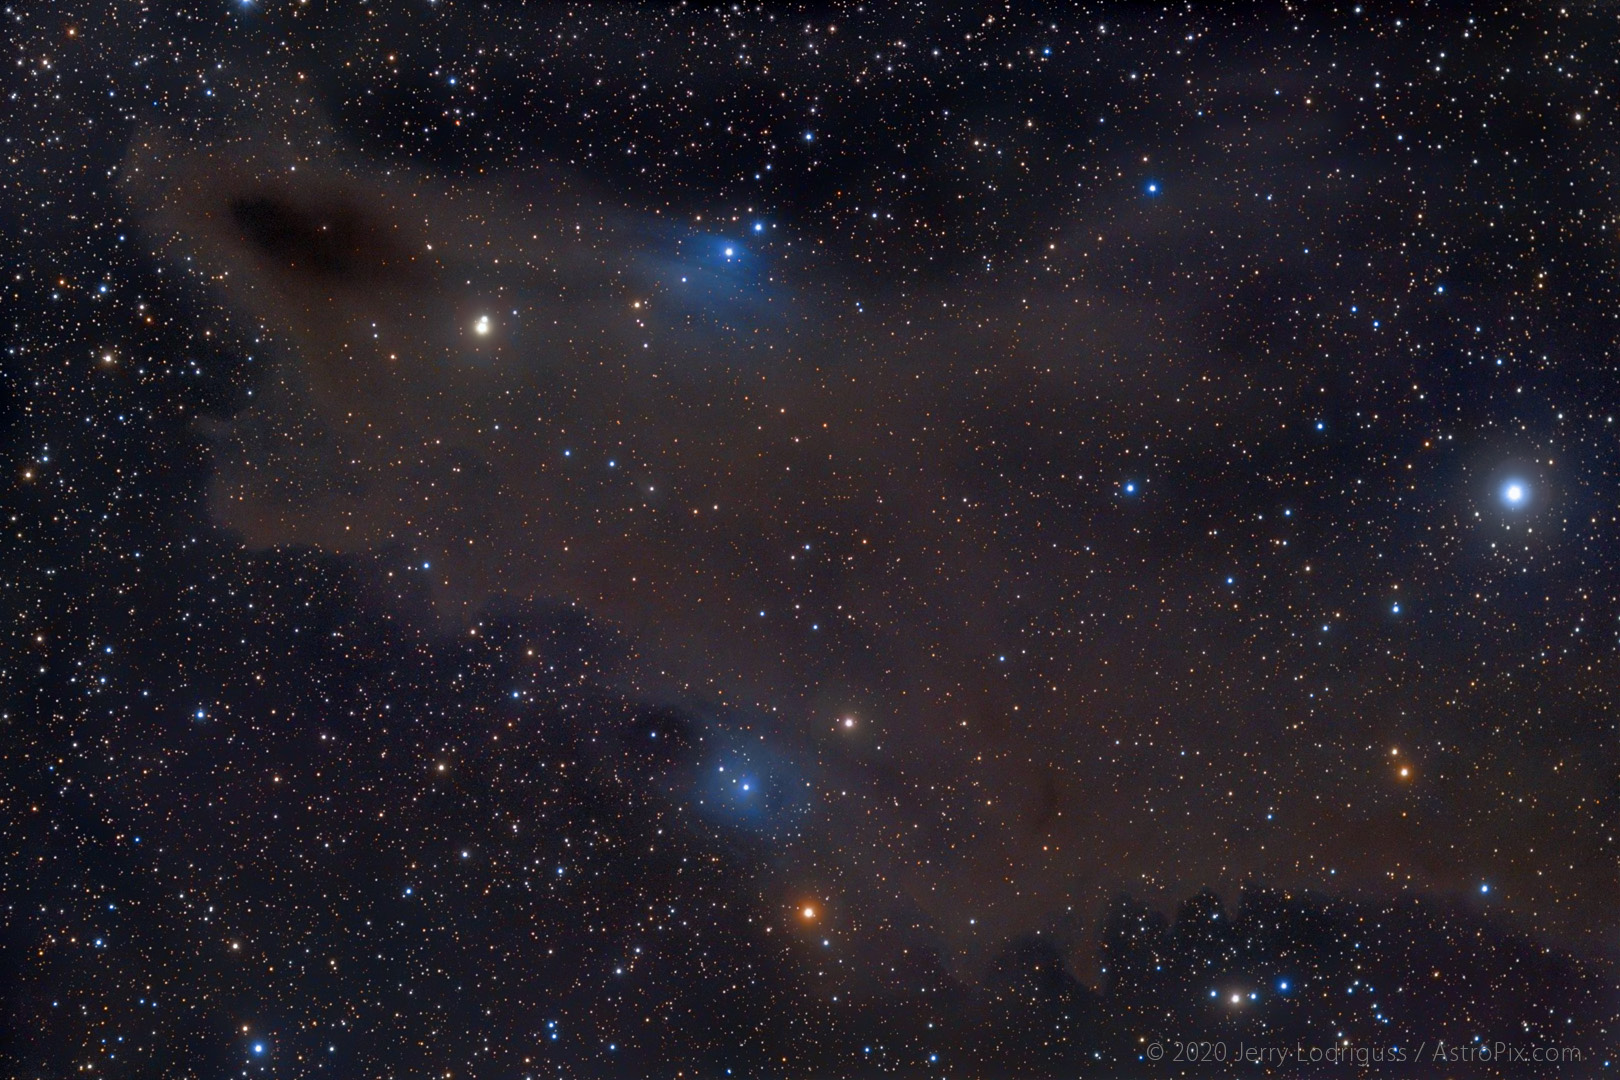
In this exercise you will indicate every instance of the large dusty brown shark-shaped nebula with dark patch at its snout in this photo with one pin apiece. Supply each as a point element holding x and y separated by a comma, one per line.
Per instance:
<point>500,383</point>
